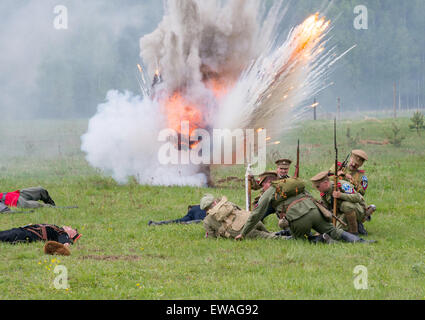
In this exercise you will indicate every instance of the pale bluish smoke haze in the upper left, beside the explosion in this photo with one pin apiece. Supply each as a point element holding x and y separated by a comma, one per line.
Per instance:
<point>50,73</point>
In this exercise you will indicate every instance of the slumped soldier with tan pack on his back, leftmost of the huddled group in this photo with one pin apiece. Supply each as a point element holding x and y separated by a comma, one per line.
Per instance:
<point>225,219</point>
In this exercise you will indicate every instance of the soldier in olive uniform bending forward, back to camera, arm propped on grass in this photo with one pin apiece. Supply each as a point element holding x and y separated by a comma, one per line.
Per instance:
<point>297,209</point>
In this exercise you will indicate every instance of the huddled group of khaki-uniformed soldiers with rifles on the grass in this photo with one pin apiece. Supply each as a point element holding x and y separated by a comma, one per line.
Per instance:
<point>297,210</point>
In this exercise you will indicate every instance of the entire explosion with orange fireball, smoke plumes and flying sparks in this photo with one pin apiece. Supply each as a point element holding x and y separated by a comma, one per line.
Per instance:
<point>213,65</point>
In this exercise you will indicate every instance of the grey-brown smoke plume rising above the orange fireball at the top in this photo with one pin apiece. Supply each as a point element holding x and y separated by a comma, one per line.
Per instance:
<point>197,36</point>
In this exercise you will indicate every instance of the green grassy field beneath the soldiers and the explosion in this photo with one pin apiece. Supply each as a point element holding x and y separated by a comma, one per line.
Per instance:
<point>120,257</point>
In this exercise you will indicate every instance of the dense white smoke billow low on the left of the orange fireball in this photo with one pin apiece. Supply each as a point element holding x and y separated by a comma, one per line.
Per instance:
<point>122,140</point>
